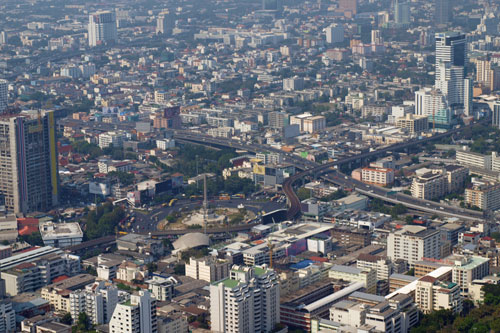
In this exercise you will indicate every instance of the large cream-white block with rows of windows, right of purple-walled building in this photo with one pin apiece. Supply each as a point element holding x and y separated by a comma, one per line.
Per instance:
<point>412,243</point>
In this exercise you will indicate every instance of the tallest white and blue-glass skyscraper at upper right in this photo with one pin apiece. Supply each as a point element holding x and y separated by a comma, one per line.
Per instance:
<point>451,61</point>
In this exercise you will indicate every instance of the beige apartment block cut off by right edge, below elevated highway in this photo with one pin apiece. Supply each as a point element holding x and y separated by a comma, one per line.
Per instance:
<point>483,195</point>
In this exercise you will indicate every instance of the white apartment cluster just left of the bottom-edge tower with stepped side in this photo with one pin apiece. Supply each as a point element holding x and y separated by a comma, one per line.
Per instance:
<point>97,300</point>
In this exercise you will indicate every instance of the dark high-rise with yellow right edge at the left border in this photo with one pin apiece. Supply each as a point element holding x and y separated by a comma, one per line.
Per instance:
<point>28,159</point>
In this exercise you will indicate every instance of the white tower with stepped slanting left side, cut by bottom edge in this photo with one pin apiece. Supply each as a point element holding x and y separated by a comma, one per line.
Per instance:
<point>138,315</point>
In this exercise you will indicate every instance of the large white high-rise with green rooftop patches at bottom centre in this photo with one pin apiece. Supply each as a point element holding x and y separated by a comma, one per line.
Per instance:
<point>247,301</point>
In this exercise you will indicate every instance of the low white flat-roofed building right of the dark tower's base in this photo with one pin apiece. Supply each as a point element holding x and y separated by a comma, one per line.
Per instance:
<point>61,234</point>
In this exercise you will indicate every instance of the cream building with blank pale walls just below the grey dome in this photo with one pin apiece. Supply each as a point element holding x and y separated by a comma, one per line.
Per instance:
<point>208,269</point>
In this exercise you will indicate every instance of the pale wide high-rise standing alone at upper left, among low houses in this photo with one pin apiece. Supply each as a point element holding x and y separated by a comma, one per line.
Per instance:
<point>102,28</point>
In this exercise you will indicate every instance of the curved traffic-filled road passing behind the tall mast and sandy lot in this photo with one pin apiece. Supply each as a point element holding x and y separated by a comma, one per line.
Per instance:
<point>148,221</point>
